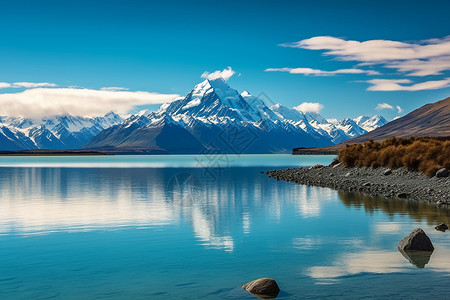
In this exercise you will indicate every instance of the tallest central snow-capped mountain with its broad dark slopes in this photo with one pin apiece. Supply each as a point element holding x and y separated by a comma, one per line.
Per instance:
<point>214,118</point>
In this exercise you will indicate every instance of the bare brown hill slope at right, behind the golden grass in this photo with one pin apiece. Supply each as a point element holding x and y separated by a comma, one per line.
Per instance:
<point>431,120</point>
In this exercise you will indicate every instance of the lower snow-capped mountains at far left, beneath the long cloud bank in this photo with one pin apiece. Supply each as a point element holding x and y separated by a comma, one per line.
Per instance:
<point>60,132</point>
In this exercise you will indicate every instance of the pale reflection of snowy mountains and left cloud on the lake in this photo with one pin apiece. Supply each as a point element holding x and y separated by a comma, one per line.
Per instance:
<point>44,200</point>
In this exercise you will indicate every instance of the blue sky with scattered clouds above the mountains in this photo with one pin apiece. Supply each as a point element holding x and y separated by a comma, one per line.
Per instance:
<point>165,46</point>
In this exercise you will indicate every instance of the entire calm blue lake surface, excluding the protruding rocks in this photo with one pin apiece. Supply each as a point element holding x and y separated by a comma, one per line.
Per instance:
<point>197,227</point>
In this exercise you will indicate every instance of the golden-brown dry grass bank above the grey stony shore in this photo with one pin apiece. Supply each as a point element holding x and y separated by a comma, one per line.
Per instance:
<point>426,155</point>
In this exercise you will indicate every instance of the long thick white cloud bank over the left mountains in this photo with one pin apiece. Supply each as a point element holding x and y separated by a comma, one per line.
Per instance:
<point>43,102</point>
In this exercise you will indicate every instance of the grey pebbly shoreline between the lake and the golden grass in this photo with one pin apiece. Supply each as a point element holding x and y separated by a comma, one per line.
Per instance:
<point>384,182</point>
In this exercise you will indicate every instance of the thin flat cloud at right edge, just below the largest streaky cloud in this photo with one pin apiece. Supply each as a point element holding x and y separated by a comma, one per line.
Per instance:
<point>395,85</point>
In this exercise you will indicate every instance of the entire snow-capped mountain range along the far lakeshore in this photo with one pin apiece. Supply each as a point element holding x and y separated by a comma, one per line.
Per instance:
<point>212,118</point>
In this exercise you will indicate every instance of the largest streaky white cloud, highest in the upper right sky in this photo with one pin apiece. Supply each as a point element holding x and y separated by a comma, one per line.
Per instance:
<point>428,57</point>
